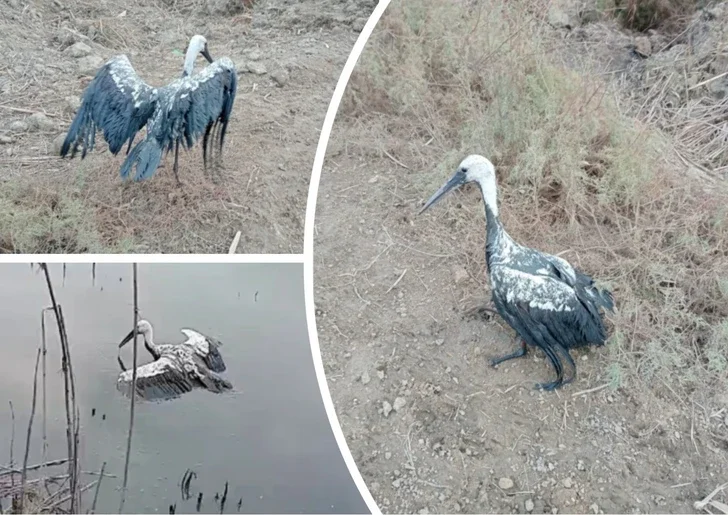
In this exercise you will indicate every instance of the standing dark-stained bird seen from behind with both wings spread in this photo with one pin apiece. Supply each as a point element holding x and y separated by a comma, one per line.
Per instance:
<point>119,103</point>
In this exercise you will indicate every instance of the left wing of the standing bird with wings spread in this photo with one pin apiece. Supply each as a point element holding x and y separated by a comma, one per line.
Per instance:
<point>117,102</point>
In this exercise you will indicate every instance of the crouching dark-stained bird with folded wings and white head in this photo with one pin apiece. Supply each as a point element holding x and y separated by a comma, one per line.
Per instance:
<point>549,303</point>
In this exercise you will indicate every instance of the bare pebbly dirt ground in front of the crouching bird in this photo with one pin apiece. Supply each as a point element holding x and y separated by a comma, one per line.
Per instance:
<point>432,426</point>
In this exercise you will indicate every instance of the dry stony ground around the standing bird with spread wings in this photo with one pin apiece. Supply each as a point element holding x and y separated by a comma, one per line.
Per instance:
<point>289,56</point>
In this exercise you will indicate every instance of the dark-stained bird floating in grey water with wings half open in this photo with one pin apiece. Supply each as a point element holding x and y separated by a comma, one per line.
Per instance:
<point>177,368</point>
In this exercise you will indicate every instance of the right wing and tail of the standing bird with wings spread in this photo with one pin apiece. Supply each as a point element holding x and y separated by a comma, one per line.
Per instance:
<point>188,108</point>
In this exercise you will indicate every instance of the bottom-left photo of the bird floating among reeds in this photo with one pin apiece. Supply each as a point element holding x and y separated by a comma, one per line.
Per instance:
<point>227,415</point>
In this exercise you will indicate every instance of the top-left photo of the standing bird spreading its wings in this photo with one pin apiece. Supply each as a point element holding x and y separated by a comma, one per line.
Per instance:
<point>165,127</point>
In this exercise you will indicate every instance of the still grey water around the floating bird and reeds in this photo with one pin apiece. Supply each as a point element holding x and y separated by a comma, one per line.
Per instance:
<point>270,439</point>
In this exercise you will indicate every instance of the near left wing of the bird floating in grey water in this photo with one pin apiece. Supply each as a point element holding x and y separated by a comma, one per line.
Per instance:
<point>159,380</point>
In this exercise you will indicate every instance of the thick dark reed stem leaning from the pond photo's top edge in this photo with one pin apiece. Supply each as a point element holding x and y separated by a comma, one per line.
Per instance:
<point>69,391</point>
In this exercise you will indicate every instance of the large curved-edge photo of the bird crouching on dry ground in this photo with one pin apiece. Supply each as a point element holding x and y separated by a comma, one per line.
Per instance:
<point>520,259</point>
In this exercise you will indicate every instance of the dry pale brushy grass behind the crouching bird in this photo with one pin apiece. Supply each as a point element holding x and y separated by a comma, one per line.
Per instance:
<point>444,79</point>
